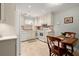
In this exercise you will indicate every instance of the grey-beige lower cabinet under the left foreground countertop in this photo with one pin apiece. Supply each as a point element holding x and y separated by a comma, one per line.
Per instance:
<point>8,47</point>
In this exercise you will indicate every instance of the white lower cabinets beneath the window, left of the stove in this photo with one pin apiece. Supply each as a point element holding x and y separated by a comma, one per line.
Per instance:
<point>27,35</point>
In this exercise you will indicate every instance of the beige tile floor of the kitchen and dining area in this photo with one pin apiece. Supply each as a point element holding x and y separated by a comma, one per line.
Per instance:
<point>36,48</point>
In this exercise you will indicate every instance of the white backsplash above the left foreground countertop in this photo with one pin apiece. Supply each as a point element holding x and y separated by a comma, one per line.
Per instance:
<point>7,30</point>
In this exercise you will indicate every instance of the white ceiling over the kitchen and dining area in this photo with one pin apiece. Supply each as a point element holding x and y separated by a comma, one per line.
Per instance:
<point>38,9</point>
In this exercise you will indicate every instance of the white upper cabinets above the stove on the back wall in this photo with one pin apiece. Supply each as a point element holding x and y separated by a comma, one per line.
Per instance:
<point>45,19</point>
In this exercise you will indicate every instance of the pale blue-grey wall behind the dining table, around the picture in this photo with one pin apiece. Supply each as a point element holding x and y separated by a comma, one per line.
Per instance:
<point>59,25</point>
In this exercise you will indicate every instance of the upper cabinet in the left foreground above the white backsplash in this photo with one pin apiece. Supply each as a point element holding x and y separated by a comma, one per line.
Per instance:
<point>8,13</point>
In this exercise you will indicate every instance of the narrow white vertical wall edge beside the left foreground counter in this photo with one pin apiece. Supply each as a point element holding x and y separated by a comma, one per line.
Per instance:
<point>18,30</point>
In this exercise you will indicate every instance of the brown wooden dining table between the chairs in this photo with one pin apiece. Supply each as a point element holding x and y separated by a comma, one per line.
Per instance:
<point>71,42</point>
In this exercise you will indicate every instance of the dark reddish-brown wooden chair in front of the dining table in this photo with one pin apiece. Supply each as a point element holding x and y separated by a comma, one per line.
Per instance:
<point>55,46</point>
